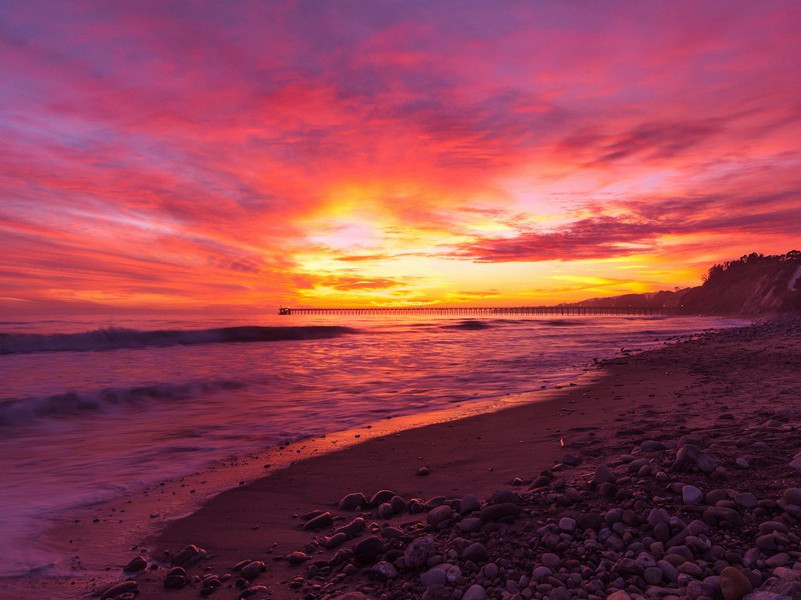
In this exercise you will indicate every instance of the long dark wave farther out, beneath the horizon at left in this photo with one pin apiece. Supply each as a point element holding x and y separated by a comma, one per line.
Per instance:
<point>114,338</point>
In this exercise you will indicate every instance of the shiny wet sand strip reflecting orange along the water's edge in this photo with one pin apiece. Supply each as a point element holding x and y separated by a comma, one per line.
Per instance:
<point>99,536</point>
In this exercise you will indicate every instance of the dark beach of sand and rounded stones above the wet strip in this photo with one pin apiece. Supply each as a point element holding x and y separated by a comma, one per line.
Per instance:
<point>690,491</point>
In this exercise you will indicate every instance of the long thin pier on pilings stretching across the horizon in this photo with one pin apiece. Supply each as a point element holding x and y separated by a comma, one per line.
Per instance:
<point>490,311</point>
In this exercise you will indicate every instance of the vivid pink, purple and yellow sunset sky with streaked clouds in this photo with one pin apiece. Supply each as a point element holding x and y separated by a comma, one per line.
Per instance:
<point>237,156</point>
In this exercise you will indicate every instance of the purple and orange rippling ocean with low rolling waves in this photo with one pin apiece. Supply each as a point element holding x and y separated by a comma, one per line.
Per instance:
<point>93,408</point>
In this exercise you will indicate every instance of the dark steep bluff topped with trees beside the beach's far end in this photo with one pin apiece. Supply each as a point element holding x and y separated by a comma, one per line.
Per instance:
<point>753,284</point>
